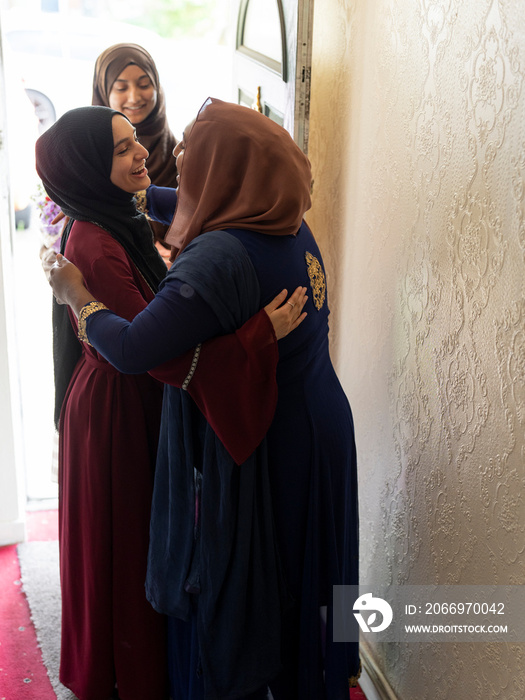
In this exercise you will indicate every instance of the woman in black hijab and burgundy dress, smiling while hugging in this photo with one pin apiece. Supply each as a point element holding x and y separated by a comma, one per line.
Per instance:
<point>91,164</point>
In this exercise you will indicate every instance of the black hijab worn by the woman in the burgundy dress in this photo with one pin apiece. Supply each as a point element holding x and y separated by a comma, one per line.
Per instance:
<point>74,160</point>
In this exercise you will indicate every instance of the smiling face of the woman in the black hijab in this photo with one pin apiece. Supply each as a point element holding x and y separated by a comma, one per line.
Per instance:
<point>128,170</point>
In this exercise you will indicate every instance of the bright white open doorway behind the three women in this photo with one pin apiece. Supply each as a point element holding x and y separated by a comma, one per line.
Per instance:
<point>50,51</point>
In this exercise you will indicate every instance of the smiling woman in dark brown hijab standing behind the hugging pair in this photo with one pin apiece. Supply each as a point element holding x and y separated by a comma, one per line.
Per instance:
<point>126,79</point>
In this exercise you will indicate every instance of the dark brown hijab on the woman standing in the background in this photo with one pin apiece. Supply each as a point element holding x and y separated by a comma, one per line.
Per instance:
<point>154,132</point>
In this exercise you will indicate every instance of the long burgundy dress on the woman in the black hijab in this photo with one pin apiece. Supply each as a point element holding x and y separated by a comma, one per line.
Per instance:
<point>108,444</point>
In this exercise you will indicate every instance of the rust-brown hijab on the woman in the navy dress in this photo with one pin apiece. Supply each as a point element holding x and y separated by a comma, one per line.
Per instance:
<point>240,170</point>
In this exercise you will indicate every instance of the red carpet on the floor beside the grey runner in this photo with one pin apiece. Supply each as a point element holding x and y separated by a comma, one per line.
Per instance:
<point>22,673</point>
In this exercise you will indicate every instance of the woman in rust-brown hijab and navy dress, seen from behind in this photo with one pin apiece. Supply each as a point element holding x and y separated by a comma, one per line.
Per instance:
<point>243,558</point>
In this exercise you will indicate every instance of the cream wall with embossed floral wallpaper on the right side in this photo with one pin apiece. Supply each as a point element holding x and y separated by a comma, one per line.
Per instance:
<point>418,150</point>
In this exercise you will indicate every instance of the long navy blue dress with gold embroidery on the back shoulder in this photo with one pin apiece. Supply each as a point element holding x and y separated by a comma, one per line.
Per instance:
<point>252,565</point>
